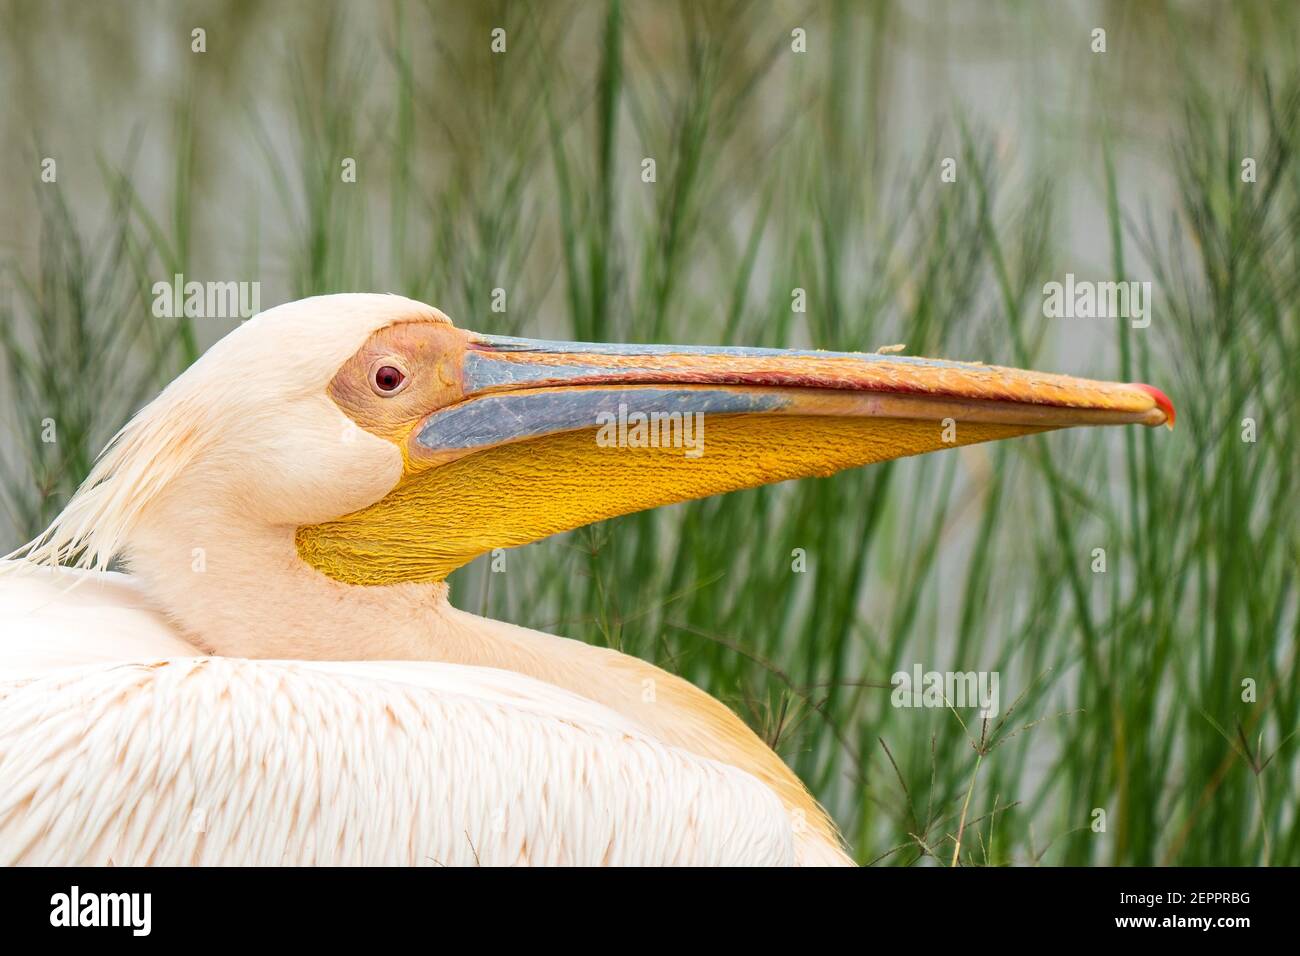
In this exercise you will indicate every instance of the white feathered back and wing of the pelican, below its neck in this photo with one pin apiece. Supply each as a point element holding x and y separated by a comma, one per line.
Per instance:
<point>168,759</point>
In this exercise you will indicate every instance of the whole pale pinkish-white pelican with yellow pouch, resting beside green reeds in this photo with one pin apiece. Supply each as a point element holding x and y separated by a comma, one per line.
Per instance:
<point>280,678</point>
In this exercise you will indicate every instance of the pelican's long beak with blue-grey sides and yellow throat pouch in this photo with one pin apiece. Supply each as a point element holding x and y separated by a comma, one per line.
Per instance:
<point>551,436</point>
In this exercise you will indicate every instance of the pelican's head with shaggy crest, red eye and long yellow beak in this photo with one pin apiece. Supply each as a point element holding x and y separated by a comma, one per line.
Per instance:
<point>392,448</point>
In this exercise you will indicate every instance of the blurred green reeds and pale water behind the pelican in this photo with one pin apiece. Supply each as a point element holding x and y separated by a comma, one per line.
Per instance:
<point>796,146</point>
